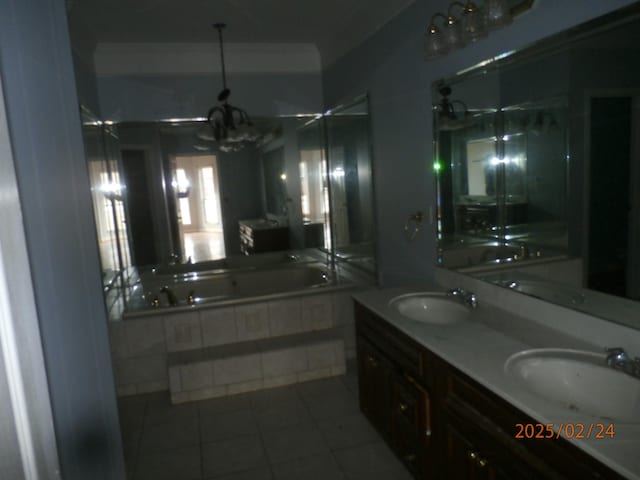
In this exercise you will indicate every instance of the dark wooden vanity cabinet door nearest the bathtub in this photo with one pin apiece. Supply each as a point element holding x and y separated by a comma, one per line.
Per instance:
<point>375,387</point>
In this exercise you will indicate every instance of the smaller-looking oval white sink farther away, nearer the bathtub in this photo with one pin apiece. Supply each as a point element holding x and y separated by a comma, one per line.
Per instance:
<point>431,308</point>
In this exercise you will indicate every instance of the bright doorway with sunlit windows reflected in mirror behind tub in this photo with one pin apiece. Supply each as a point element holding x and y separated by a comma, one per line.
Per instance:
<point>199,212</point>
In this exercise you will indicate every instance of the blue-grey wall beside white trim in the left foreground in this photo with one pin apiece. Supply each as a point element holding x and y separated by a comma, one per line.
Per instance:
<point>45,132</point>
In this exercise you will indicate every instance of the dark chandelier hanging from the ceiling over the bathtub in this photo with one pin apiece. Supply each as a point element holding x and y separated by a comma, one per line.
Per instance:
<point>231,126</point>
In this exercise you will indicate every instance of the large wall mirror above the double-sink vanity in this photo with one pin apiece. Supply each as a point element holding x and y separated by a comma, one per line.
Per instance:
<point>538,168</point>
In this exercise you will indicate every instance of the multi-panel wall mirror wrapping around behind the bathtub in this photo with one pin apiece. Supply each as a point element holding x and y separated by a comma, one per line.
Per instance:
<point>167,199</point>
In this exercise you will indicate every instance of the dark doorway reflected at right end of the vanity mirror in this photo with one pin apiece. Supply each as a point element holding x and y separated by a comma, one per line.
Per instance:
<point>613,225</point>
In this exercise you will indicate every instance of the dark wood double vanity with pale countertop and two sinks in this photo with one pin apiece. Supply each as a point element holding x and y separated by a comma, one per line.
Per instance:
<point>462,386</point>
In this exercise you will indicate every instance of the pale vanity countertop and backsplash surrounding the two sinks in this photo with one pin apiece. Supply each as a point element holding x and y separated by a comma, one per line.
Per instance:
<point>504,324</point>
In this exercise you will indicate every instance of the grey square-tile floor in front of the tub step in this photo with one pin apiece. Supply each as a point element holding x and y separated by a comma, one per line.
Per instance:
<point>308,431</point>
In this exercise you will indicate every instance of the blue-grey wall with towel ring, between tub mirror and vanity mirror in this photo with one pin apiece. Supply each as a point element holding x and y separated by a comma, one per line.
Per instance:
<point>390,66</point>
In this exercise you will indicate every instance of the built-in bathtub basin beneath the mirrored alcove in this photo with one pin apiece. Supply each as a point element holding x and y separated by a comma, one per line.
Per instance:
<point>217,287</point>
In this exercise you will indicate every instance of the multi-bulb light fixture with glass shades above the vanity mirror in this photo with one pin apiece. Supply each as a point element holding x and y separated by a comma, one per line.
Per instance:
<point>472,23</point>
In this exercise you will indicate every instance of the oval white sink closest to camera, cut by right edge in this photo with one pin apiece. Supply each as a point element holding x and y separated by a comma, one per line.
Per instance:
<point>579,381</point>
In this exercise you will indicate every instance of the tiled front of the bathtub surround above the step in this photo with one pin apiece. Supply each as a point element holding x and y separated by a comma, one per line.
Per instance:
<point>140,346</point>
